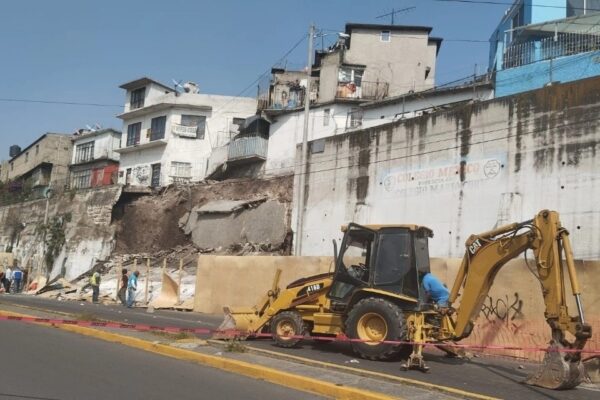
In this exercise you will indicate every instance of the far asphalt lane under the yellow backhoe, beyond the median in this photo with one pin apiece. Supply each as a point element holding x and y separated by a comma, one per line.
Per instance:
<point>488,376</point>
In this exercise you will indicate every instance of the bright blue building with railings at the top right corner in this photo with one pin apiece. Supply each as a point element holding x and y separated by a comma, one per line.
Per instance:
<point>539,42</point>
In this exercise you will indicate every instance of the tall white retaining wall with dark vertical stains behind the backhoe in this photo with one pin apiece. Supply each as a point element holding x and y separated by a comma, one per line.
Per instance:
<point>464,170</point>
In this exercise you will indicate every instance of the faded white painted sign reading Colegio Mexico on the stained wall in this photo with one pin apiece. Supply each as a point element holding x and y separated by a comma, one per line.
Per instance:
<point>441,178</point>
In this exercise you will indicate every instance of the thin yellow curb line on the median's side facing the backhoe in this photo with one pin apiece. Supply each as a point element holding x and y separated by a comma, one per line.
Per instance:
<point>368,374</point>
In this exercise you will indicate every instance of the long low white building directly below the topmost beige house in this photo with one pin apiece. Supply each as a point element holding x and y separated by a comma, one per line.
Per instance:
<point>337,118</point>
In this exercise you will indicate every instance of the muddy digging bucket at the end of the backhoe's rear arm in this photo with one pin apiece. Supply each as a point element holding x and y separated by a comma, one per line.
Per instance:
<point>557,373</point>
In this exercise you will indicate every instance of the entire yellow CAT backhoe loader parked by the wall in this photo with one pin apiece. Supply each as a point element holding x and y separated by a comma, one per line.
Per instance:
<point>374,295</point>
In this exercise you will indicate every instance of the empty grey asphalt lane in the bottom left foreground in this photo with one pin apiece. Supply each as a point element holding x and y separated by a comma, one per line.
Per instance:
<point>49,364</point>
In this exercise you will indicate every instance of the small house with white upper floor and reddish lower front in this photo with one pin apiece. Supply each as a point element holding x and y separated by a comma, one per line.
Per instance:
<point>95,161</point>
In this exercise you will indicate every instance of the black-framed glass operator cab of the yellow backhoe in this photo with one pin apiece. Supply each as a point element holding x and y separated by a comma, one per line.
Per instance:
<point>382,257</point>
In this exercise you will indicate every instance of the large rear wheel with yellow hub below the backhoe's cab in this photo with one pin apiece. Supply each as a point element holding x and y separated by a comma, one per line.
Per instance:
<point>373,320</point>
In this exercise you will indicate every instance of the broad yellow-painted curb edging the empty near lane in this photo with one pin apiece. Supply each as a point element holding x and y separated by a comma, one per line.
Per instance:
<point>286,379</point>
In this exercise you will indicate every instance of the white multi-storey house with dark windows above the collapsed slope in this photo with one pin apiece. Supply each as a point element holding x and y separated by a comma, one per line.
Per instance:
<point>168,136</point>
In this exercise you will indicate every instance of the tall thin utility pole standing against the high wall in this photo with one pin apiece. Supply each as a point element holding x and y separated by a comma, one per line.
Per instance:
<point>302,169</point>
